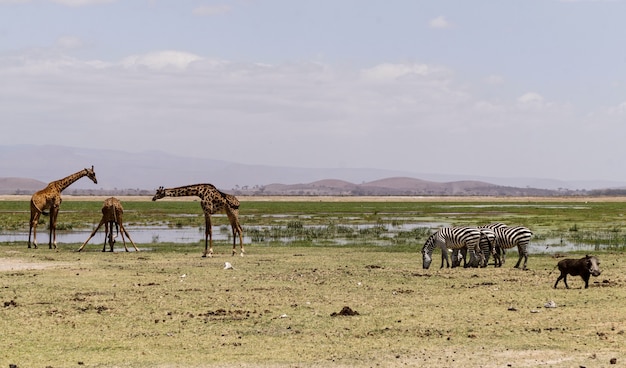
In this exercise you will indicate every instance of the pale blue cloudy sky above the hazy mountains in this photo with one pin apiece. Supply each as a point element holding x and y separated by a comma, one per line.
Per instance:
<point>533,88</point>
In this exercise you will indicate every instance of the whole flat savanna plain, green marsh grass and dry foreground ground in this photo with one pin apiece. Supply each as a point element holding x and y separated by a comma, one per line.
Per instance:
<point>325,282</point>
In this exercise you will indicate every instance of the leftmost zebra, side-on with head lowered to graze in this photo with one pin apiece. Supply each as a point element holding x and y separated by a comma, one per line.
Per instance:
<point>453,238</point>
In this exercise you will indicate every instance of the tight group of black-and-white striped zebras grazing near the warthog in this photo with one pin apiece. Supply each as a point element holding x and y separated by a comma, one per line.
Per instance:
<point>479,243</point>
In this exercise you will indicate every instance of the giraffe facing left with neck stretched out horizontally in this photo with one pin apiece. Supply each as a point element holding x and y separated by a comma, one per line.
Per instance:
<point>212,201</point>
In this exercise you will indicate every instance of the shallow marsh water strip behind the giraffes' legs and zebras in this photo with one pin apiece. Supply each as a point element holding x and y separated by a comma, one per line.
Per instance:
<point>337,234</point>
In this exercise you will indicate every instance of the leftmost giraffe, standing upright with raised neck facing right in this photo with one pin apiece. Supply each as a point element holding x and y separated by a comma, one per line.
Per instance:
<point>49,198</point>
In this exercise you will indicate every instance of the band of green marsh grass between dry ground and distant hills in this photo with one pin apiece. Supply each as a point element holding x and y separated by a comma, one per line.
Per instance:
<point>573,221</point>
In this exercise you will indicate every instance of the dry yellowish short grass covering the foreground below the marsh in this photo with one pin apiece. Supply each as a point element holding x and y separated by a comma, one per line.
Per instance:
<point>166,309</point>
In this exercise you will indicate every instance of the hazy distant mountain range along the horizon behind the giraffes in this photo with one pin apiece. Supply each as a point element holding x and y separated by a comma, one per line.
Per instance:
<point>27,168</point>
